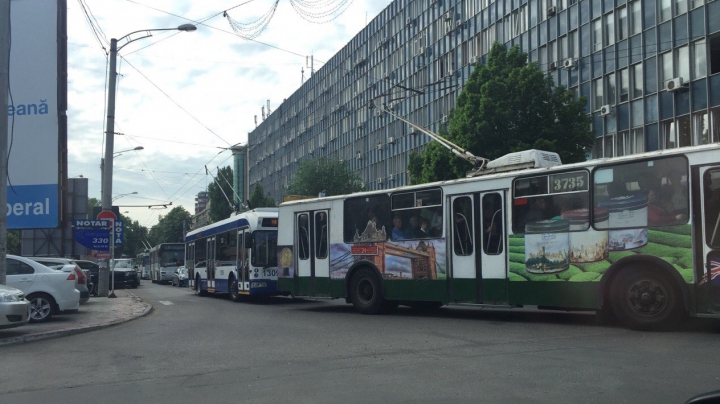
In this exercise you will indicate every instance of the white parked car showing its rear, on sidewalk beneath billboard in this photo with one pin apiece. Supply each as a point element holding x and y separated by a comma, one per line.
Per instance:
<point>49,291</point>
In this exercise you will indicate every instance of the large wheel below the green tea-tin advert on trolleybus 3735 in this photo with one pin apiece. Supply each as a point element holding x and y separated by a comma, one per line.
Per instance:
<point>646,299</point>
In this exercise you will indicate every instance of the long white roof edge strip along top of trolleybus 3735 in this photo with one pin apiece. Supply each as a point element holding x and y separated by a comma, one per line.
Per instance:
<point>523,172</point>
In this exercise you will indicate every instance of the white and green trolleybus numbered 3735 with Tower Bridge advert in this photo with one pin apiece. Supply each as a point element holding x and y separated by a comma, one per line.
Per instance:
<point>635,236</point>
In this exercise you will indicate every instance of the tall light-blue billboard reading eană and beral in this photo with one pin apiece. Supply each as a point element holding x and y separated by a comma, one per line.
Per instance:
<point>32,192</point>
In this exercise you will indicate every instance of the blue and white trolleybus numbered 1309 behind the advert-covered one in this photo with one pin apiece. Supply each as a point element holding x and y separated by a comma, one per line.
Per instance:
<point>237,255</point>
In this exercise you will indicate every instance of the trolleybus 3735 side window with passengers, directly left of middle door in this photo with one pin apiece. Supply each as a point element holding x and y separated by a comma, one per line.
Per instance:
<point>417,214</point>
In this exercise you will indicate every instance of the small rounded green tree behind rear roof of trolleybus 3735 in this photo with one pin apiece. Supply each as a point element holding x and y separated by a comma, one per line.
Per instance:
<point>318,175</point>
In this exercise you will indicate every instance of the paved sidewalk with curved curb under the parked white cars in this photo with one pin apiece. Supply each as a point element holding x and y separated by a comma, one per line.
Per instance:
<point>97,313</point>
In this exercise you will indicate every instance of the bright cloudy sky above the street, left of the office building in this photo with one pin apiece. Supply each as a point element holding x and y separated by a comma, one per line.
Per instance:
<point>185,96</point>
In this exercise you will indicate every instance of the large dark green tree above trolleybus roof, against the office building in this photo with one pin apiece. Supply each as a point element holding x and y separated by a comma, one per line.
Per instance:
<point>507,105</point>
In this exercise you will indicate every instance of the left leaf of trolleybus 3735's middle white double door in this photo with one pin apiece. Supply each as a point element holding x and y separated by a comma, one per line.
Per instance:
<point>465,284</point>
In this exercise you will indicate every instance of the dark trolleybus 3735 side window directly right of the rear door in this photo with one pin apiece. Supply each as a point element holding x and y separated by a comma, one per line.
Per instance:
<point>366,219</point>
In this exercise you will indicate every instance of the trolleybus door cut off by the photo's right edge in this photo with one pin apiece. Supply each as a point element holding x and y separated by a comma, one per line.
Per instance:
<point>708,274</point>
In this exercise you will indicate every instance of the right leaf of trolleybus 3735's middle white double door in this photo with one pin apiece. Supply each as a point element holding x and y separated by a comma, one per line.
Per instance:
<point>493,262</point>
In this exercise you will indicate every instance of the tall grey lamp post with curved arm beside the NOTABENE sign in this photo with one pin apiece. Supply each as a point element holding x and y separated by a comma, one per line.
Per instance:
<point>110,135</point>
